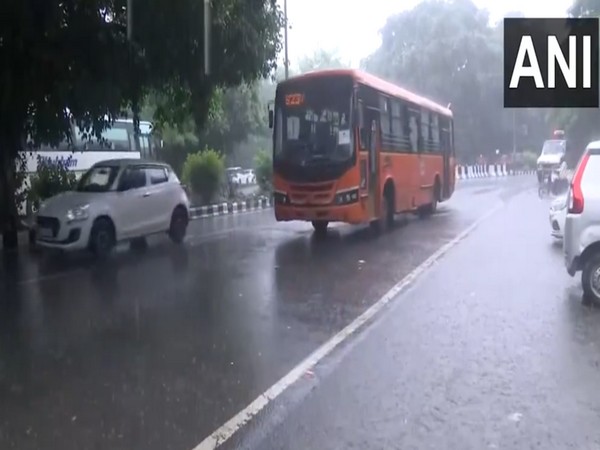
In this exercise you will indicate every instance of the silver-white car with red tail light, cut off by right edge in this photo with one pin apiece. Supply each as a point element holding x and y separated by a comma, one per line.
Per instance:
<point>581,242</point>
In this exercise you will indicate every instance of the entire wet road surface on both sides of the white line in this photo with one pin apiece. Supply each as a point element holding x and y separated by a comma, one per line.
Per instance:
<point>157,350</point>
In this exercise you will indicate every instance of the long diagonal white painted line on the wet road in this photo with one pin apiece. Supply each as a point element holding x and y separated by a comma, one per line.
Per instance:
<point>229,428</point>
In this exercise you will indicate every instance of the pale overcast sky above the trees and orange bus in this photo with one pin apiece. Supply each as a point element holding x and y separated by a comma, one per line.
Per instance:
<point>351,27</point>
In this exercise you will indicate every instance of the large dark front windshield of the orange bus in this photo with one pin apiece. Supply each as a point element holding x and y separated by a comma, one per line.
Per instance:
<point>312,123</point>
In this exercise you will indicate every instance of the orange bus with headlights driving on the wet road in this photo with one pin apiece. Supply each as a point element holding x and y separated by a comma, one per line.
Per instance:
<point>350,147</point>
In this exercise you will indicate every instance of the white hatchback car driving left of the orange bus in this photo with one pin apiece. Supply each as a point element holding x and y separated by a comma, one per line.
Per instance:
<point>115,200</point>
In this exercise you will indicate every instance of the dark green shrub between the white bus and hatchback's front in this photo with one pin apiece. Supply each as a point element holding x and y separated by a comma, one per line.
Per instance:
<point>51,178</point>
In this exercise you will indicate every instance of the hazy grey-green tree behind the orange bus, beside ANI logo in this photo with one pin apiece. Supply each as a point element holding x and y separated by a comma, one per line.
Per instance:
<point>447,51</point>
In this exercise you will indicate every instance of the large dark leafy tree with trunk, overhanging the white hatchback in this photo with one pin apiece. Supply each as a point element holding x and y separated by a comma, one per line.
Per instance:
<point>91,74</point>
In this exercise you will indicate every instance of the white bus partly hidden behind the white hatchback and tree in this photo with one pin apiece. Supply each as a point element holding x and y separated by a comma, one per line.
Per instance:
<point>82,154</point>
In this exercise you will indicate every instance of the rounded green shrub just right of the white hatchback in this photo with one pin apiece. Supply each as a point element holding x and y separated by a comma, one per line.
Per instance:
<point>203,172</point>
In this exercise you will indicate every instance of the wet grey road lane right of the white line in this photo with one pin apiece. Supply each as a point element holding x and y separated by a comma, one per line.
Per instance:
<point>492,348</point>
